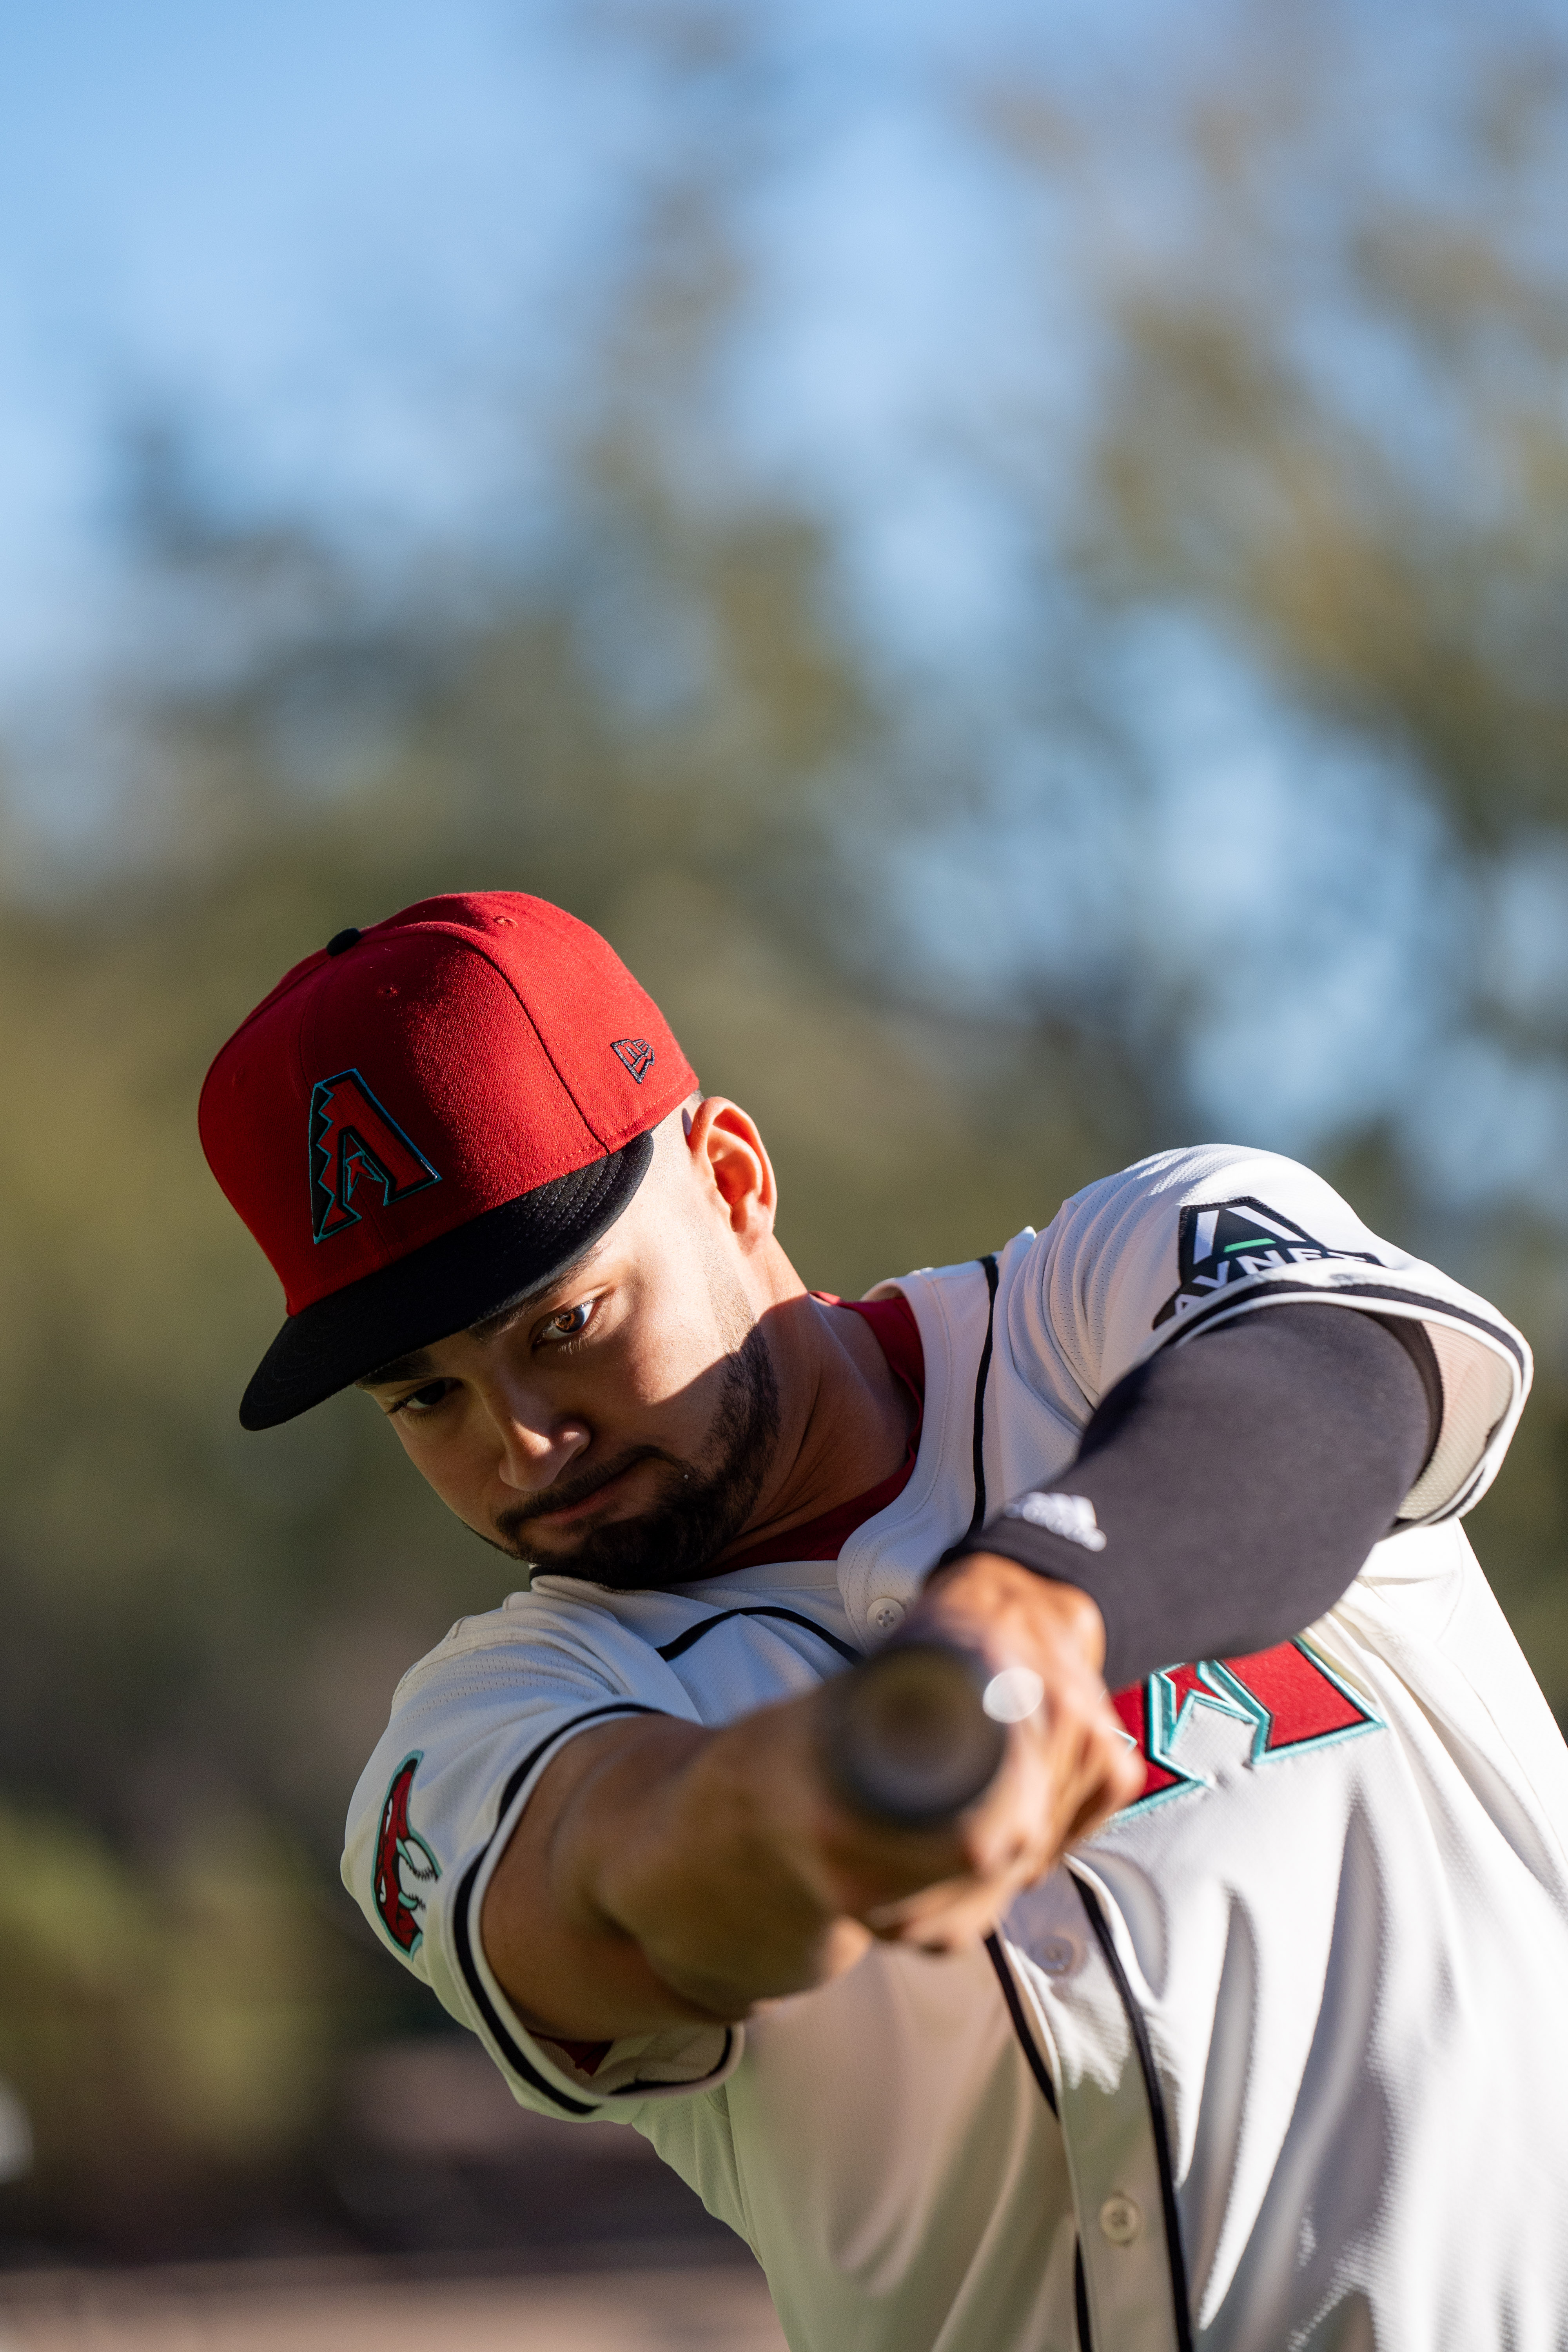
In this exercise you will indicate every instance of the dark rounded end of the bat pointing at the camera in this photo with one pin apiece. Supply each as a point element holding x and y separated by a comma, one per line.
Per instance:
<point>906,1737</point>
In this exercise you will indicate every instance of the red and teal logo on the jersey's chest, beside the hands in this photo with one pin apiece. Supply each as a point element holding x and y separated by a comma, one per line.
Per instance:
<point>1285,1697</point>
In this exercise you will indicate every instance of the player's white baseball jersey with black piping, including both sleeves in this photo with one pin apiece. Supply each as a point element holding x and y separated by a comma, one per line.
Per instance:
<point>1278,2057</point>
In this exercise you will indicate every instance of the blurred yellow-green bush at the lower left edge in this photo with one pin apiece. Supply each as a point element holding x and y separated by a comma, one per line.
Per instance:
<point>166,2024</point>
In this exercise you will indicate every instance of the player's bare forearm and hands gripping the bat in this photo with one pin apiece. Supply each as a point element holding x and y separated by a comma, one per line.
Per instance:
<point>666,1873</point>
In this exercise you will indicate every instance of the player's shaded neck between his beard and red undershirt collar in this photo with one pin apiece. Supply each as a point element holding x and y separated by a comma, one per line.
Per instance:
<point>845,1419</point>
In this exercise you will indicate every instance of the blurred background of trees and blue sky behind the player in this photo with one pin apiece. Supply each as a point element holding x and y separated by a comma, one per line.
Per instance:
<point>1014,561</point>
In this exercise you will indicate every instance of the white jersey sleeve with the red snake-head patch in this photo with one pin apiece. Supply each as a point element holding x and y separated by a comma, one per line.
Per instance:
<point>471,1735</point>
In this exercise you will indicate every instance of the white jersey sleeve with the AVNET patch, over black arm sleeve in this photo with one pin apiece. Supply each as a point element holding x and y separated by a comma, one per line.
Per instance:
<point>1198,1238</point>
